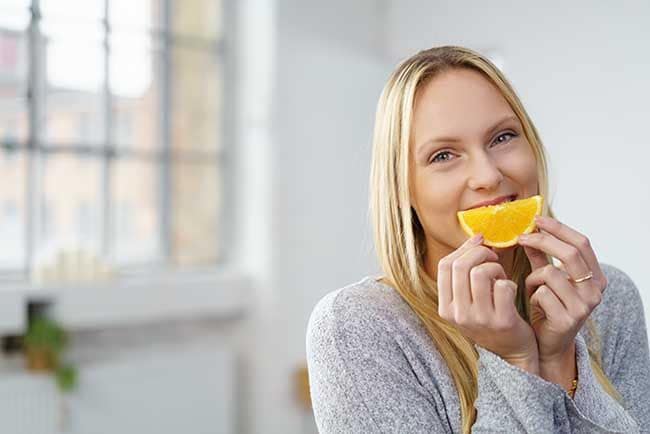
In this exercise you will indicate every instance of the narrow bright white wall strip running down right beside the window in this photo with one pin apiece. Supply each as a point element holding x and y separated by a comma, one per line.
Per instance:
<point>256,51</point>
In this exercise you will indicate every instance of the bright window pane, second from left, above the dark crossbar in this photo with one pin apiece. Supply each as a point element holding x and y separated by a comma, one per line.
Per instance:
<point>74,104</point>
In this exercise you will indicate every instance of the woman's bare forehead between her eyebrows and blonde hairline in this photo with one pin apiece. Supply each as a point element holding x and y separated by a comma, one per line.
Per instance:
<point>457,103</point>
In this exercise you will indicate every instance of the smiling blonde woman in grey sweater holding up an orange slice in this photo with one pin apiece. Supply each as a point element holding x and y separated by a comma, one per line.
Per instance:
<point>458,337</point>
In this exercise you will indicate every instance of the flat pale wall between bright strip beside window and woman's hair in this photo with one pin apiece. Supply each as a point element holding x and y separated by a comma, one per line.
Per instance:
<point>329,79</point>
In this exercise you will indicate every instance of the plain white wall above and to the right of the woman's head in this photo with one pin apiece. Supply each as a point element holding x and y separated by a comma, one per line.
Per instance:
<point>581,69</point>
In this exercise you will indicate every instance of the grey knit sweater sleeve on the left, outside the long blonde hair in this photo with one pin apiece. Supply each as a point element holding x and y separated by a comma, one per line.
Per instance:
<point>360,381</point>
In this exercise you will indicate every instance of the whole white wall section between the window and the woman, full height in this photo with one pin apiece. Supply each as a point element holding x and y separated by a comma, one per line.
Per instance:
<point>307,115</point>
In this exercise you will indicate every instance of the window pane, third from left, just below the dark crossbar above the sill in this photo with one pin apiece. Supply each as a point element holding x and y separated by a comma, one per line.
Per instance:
<point>135,214</point>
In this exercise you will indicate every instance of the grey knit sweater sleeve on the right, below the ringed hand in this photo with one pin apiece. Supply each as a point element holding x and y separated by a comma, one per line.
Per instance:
<point>628,367</point>
